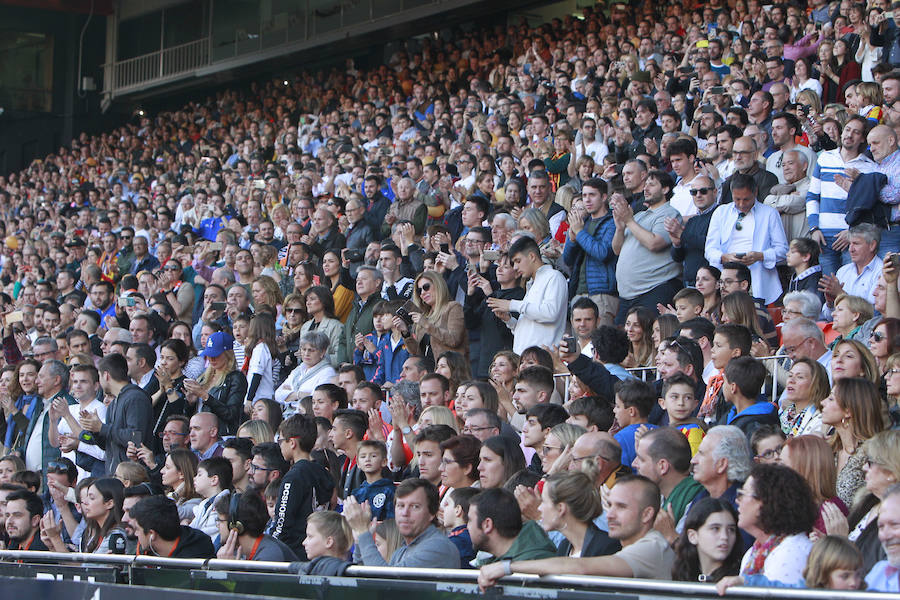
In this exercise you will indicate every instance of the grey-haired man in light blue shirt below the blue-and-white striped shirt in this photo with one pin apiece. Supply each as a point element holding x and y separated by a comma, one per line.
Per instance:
<point>860,275</point>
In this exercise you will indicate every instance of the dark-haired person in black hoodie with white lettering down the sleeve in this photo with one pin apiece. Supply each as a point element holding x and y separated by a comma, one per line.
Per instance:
<point>307,487</point>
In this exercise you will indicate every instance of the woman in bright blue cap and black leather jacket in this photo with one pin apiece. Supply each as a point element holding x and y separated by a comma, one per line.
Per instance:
<point>222,387</point>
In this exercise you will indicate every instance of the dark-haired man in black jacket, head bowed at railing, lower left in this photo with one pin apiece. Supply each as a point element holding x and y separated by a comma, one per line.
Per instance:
<point>160,533</point>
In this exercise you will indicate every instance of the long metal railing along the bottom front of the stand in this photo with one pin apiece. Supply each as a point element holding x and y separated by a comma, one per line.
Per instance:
<point>403,579</point>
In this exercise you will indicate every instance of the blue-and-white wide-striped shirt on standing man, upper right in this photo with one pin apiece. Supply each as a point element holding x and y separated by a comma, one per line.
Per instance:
<point>826,201</point>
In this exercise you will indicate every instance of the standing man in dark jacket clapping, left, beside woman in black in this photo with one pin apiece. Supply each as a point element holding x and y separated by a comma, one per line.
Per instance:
<point>129,417</point>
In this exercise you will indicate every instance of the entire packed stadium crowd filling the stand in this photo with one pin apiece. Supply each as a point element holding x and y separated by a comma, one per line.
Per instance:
<point>615,296</point>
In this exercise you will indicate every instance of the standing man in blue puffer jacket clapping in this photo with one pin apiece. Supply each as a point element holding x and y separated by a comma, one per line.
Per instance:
<point>588,251</point>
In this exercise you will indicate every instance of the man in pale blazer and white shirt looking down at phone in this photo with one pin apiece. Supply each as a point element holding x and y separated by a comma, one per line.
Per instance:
<point>748,232</point>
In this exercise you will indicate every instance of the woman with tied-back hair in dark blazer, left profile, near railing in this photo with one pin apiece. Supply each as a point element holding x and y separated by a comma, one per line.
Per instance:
<point>569,503</point>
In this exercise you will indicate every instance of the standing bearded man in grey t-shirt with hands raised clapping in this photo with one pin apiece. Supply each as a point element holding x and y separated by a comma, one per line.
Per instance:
<point>649,276</point>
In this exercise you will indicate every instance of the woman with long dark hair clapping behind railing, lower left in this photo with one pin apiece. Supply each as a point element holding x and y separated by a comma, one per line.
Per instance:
<point>102,510</point>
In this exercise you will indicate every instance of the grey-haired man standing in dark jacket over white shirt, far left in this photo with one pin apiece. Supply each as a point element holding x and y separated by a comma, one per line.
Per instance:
<point>52,386</point>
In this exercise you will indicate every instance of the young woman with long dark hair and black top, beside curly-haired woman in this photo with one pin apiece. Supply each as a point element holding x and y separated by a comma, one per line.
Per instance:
<point>709,547</point>
